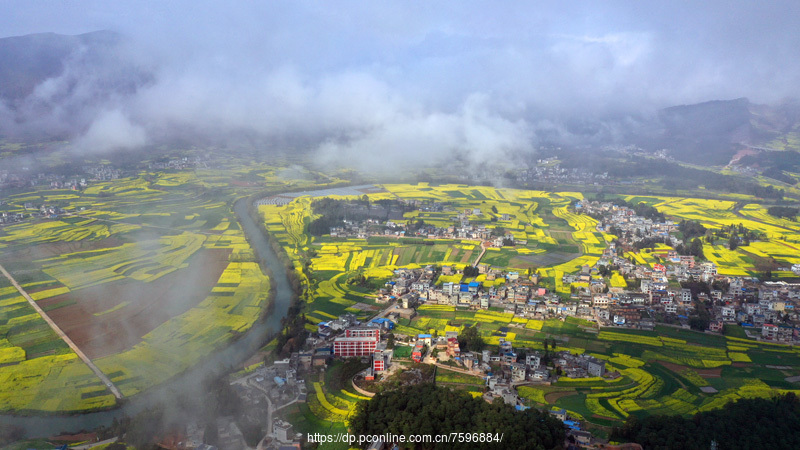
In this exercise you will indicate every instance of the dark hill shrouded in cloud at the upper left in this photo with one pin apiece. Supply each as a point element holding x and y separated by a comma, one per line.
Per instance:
<point>50,83</point>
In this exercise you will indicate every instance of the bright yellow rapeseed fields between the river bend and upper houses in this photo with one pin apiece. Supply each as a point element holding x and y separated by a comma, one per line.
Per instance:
<point>552,237</point>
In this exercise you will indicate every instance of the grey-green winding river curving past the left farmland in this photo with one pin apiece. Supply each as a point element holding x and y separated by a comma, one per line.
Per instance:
<point>190,380</point>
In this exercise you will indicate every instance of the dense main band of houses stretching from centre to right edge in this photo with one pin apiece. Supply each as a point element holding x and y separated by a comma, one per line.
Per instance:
<point>746,301</point>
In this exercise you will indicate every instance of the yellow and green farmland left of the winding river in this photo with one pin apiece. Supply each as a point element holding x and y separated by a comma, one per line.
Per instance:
<point>144,274</point>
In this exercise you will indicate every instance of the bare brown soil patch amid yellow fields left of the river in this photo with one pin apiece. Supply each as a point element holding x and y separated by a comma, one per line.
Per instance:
<point>113,317</point>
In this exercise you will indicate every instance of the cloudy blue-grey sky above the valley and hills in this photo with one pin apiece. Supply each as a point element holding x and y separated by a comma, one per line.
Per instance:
<point>421,78</point>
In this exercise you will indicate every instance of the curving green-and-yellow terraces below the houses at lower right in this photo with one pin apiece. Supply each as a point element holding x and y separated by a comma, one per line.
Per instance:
<point>669,371</point>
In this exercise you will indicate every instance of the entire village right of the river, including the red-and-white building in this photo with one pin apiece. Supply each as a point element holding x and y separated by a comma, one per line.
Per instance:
<point>666,294</point>
